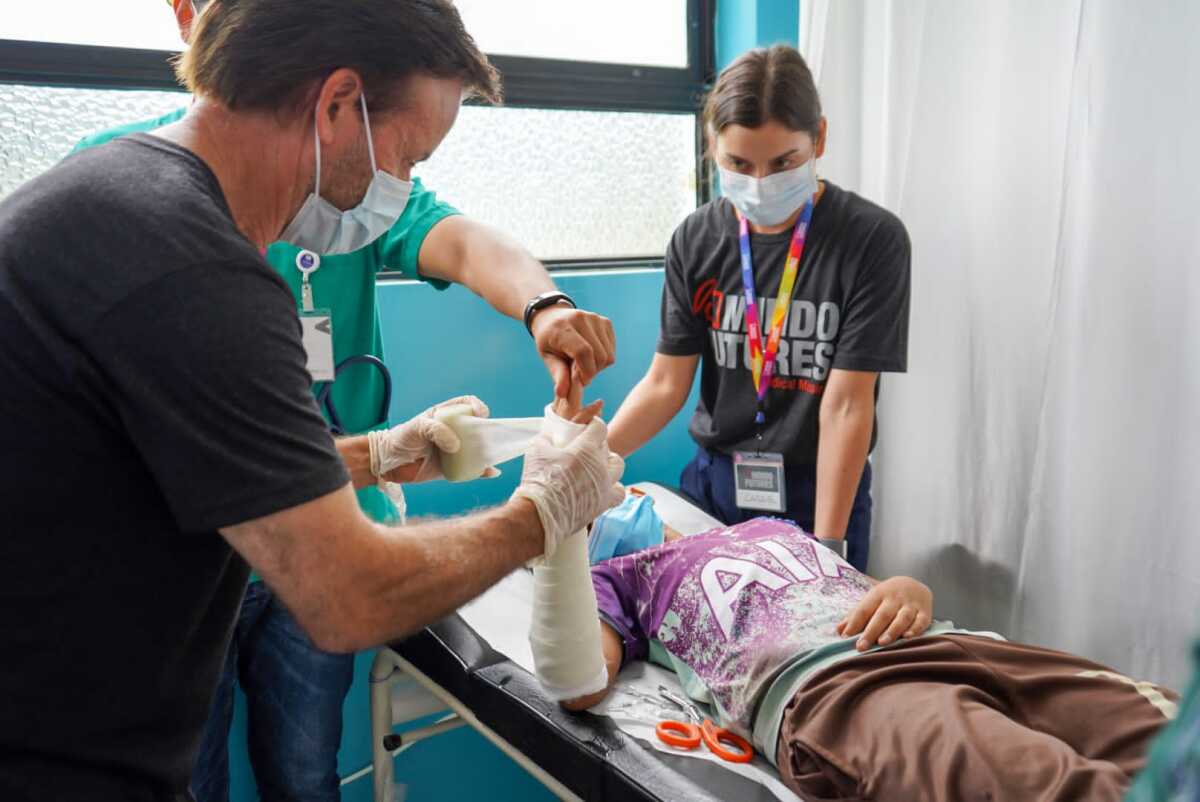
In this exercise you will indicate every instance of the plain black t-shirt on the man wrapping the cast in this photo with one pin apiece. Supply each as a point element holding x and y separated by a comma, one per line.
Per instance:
<point>154,392</point>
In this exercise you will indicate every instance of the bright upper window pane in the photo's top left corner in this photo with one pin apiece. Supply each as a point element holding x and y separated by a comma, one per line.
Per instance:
<point>148,25</point>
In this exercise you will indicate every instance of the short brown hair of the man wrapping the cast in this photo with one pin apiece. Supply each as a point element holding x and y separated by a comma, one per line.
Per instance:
<point>272,55</point>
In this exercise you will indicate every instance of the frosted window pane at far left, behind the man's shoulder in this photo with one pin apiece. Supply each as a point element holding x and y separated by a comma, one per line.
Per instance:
<point>40,125</point>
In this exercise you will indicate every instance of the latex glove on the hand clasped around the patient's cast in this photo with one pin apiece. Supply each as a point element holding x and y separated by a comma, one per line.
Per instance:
<point>572,486</point>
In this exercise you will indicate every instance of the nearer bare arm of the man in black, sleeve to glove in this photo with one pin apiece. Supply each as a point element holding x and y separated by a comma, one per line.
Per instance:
<point>359,584</point>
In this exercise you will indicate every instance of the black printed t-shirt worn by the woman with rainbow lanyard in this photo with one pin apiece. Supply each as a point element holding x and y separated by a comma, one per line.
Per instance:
<point>850,312</point>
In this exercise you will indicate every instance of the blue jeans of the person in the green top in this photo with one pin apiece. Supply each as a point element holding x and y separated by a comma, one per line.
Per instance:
<point>295,695</point>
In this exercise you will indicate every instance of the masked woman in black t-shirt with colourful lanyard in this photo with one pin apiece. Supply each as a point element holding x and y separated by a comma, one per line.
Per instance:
<point>785,420</point>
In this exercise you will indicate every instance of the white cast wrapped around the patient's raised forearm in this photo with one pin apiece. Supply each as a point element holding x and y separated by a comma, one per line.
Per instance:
<point>566,631</point>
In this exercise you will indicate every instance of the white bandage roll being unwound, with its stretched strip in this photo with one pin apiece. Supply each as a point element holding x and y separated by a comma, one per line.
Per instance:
<point>485,441</point>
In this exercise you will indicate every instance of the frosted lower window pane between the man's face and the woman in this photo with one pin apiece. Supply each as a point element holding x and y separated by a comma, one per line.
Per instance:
<point>571,184</point>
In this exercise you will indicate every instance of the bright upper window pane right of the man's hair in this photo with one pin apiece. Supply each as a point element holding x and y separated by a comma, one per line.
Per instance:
<point>619,32</point>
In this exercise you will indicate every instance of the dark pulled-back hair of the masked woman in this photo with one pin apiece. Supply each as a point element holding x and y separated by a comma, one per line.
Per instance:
<point>765,85</point>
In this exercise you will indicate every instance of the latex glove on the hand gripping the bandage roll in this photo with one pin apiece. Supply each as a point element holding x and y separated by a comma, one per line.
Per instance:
<point>410,452</point>
